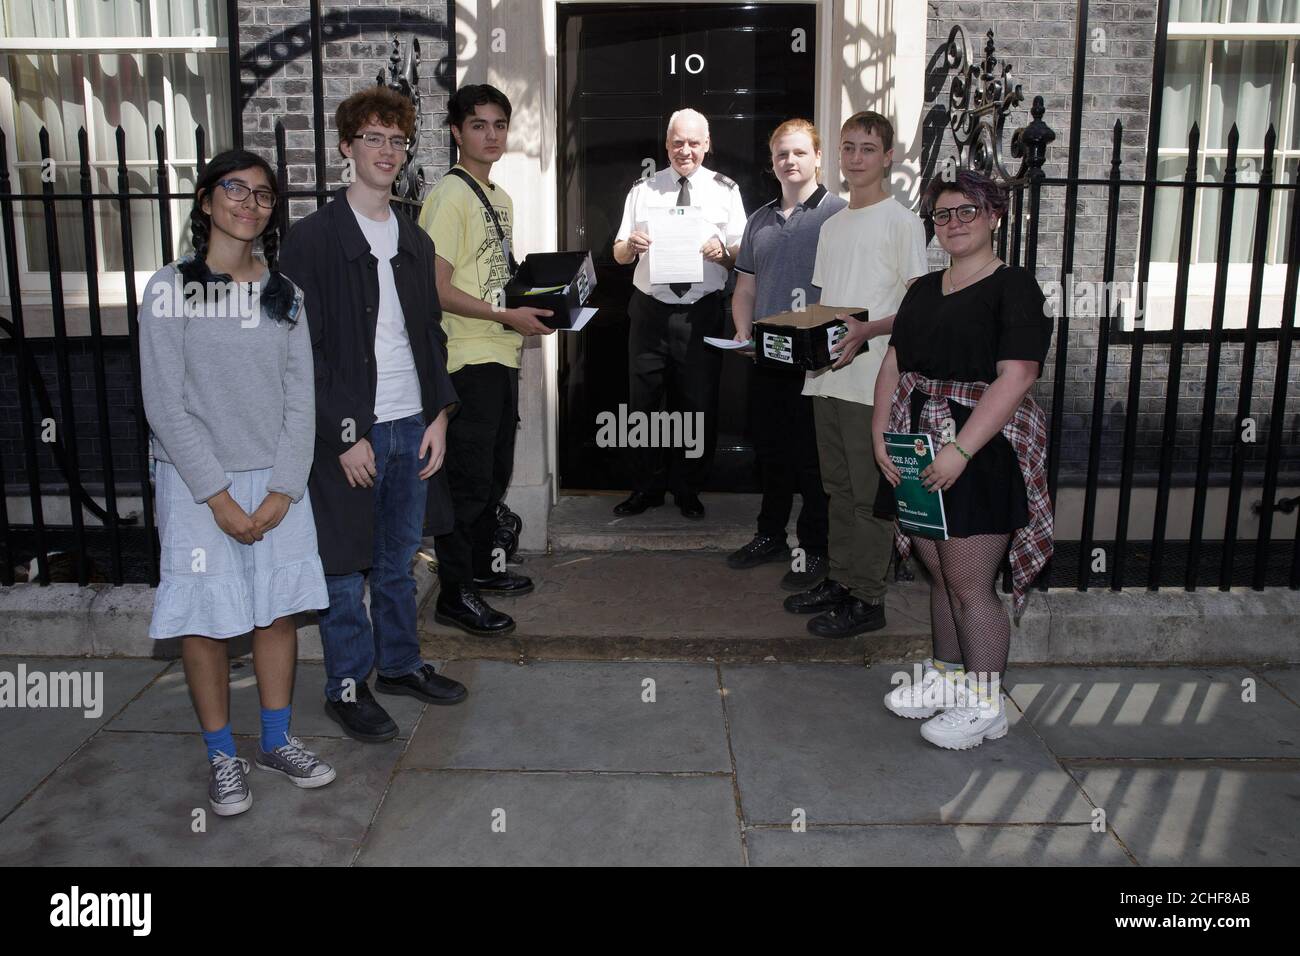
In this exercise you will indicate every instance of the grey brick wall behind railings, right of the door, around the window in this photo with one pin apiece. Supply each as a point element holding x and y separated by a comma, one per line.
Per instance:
<point>1038,41</point>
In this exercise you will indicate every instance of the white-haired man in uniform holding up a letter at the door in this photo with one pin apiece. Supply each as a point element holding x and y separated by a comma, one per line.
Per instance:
<point>669,322</point>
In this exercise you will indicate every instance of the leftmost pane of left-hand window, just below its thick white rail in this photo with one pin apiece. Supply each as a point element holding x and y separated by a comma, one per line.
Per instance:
<point>47,92</point>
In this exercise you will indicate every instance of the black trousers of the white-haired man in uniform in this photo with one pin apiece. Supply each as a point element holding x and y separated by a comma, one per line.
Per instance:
<point>668,360</point>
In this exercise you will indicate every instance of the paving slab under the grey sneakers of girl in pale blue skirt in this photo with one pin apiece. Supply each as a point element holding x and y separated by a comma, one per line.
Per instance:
<point>129,801</point>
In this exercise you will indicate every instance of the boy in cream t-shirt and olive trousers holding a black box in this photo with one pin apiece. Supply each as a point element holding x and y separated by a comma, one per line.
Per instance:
<point>868,254</point>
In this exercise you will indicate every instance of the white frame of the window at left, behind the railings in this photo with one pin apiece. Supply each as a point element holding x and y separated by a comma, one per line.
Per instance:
<point>112,284</point>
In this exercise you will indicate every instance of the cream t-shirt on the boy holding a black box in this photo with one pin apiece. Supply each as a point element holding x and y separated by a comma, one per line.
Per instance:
<point>864,261</point>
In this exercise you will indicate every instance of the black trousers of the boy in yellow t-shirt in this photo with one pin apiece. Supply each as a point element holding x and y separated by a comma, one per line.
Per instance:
<point>480,458</point>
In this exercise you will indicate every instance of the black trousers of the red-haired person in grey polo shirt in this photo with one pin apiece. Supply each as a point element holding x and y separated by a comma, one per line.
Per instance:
<point>786,447</point>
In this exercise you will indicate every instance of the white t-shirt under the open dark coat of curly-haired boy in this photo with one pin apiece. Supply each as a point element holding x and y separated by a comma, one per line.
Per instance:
<point>397,393</point>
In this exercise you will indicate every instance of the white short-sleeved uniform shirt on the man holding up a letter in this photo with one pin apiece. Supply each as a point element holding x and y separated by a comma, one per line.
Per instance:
<point>723,218</point>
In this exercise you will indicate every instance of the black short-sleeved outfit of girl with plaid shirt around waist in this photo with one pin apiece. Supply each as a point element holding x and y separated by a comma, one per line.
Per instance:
<point>963,338</point>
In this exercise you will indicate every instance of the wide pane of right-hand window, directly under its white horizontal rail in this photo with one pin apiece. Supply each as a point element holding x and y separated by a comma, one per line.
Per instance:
<point>1247,90</point>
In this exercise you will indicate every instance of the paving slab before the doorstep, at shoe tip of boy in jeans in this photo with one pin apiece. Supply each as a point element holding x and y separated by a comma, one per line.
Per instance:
<point>578,717</point>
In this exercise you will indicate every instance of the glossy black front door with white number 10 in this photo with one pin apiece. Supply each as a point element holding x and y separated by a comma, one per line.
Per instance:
<point>623,71</point>
